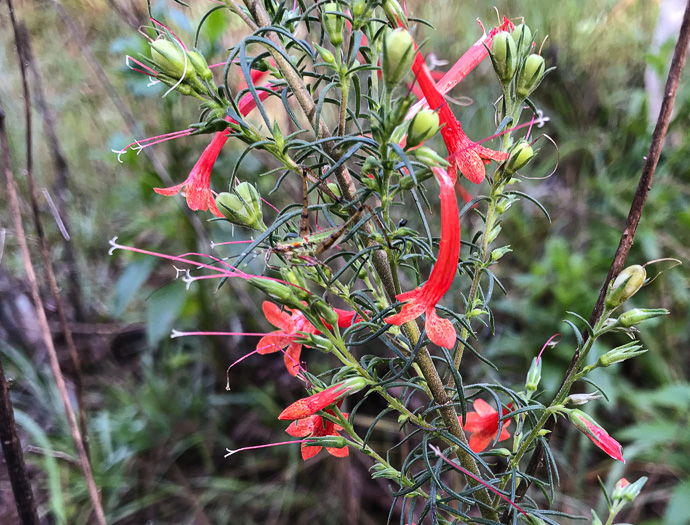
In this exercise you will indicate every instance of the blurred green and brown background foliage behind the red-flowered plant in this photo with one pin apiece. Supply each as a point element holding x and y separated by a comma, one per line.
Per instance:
<point>160,418</point>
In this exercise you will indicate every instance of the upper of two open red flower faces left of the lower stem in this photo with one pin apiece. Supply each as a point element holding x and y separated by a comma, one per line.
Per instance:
<point>291,323</point>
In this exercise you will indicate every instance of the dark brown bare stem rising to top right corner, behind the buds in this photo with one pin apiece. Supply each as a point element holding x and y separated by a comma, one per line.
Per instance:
<point>628,235</point>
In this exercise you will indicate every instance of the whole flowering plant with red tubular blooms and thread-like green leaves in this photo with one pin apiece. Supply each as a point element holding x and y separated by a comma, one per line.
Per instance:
<point>349,278</point>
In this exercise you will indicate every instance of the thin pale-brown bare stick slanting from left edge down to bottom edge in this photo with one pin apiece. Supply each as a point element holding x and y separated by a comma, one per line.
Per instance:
<point>43,322</point>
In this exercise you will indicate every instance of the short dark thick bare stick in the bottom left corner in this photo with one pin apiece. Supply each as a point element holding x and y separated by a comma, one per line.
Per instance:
<point>14,458</point>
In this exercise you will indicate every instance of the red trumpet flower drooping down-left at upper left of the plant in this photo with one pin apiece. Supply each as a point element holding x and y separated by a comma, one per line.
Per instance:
<point>198,183</point>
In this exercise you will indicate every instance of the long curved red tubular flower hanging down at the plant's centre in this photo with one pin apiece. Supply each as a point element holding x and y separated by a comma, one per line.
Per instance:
<point>423,300</point>
